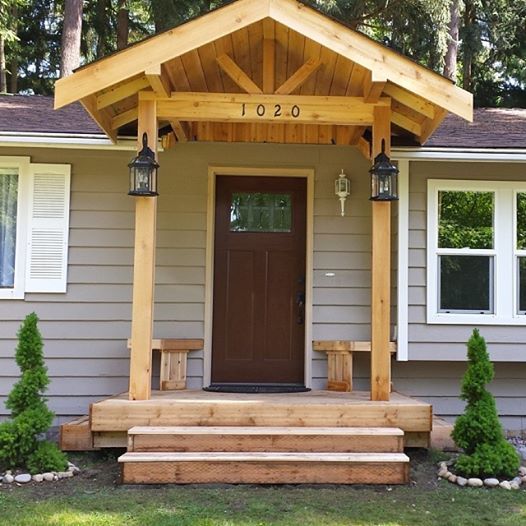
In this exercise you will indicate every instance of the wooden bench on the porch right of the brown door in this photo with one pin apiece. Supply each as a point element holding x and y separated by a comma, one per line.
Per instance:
<point>339,360</point>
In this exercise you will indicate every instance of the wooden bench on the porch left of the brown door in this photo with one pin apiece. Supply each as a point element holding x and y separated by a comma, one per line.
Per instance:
<point>174,354</point>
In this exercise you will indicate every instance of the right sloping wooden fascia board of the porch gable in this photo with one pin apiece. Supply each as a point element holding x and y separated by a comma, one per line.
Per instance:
<point>373,56</point>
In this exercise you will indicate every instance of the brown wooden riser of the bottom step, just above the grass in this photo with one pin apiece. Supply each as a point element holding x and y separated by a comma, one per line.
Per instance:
<point>230,472</point>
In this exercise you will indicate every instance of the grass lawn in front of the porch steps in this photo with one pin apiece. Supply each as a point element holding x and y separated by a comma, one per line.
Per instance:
<point>94,498</point>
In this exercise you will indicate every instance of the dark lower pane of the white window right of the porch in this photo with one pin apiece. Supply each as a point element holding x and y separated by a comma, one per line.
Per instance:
<point>466,283</point>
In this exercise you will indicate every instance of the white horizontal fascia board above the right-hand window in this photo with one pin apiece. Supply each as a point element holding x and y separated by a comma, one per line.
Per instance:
<point>460,154</point>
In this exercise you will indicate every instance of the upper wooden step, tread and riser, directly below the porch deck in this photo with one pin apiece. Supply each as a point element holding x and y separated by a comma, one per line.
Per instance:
<point>268,439</point>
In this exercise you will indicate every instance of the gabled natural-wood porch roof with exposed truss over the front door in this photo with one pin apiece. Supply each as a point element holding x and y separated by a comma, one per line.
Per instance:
<point>279,51</point>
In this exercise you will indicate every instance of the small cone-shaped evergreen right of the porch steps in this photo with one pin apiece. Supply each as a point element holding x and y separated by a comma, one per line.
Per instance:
<point>478,431</point>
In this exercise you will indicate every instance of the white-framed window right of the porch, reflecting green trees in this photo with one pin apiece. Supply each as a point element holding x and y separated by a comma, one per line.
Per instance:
<point>476,252</point>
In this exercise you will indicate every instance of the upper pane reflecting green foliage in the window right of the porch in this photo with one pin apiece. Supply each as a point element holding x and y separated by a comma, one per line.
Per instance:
<point>465,219</point>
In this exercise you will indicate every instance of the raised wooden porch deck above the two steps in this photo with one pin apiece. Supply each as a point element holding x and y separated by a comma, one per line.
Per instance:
<point>115,416</point>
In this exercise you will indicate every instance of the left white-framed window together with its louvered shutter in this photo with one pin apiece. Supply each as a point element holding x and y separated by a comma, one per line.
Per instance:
<point>34,225</point>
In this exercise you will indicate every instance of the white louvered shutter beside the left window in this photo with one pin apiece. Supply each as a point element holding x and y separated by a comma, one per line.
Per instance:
<point>47,254</point>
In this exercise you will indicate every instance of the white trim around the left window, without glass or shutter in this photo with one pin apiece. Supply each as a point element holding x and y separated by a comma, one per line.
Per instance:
<point>22,164</point>
